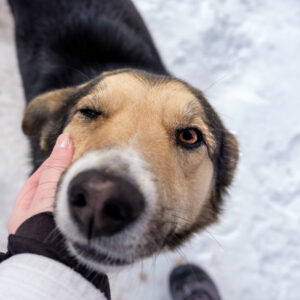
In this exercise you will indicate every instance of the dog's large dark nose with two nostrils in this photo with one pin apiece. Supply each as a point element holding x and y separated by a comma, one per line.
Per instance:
<point>102,204</point>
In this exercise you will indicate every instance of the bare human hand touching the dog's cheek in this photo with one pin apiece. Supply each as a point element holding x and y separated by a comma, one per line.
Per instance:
<point>38,193</point>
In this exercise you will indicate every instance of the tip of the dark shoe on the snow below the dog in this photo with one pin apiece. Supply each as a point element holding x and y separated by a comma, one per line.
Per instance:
<point>189,282</point>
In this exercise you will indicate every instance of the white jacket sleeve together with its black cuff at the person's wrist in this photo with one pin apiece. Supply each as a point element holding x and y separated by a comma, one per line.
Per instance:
<point>38,248</point>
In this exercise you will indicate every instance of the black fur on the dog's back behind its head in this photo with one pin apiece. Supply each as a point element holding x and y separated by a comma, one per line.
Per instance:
<point>63,43</point>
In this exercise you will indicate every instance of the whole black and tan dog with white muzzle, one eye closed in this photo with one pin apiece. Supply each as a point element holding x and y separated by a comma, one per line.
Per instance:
<point>152,158</point>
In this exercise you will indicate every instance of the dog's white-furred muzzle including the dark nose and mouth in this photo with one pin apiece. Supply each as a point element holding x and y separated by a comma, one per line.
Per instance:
<point>104,205</point>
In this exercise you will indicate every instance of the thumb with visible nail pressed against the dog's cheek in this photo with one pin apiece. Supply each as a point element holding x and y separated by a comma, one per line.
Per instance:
<point>59,160</point>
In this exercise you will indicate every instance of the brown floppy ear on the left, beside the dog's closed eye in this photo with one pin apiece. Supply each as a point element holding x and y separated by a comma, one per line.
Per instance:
<point>41,110</point>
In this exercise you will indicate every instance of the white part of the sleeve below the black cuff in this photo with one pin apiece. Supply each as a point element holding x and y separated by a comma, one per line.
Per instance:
<point>35,277</point>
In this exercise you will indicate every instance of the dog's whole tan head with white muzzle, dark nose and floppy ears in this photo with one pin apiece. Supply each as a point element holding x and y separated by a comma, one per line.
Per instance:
<point>152,161</point>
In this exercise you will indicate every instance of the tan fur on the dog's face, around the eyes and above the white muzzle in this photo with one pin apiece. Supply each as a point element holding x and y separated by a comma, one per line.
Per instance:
<point>145,116</point>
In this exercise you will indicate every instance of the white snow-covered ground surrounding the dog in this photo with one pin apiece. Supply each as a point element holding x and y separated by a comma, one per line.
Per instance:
<point>245,56</point>
